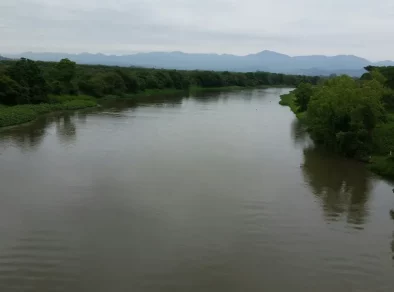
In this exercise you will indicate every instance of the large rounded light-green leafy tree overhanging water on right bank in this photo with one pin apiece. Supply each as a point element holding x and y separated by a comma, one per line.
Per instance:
<point>343,113</point>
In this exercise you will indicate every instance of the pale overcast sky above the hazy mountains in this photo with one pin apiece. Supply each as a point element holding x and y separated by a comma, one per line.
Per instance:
<point>294,27</point>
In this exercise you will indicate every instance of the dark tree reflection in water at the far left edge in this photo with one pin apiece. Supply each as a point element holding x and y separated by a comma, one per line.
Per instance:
<point>26,137</point>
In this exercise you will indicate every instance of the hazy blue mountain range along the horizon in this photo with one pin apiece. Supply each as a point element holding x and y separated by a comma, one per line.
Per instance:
<point>262,61</point>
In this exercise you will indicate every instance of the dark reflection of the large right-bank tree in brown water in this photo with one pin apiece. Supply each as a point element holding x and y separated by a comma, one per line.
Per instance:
<point>342,185</point>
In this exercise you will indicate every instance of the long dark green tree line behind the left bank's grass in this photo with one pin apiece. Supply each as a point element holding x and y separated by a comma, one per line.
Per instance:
<point>31,82</point>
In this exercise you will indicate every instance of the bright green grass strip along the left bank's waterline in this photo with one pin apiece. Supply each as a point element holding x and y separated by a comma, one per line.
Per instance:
<point>20,114</point>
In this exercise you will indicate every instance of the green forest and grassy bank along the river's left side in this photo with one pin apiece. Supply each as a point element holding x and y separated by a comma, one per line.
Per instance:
<point>30,88</point>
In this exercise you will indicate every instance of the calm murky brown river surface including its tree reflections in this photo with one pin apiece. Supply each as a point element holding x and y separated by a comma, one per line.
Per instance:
<point>218,192</point>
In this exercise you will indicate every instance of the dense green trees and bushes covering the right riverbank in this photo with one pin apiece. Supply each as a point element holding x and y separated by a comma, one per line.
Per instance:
<point>354,118</point>
